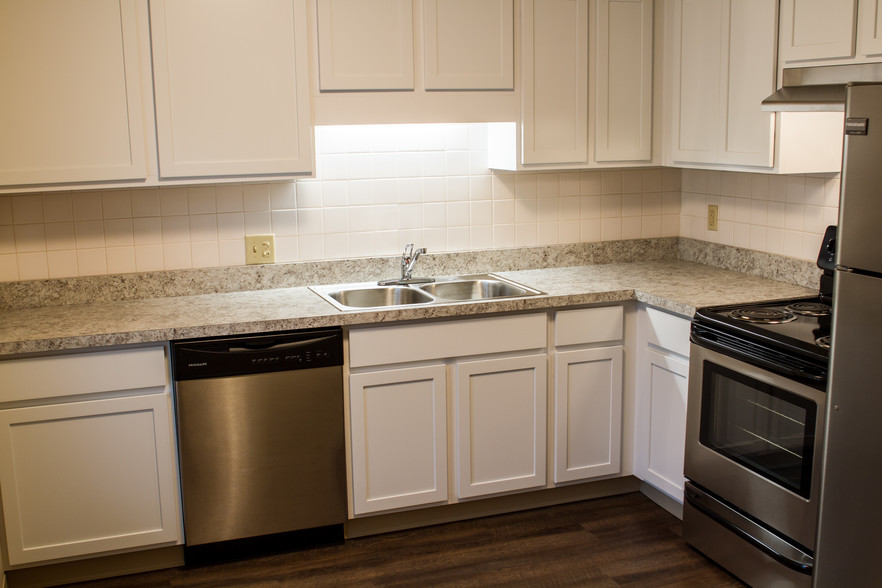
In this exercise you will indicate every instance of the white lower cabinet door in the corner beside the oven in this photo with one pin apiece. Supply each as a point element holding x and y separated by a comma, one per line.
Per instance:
<point>661,421</point>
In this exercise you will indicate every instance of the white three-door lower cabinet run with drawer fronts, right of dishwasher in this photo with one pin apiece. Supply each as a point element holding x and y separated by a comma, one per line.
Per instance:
<point>448,411</point>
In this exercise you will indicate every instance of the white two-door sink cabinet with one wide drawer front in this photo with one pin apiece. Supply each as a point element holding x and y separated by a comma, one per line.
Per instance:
<point>482,381</point>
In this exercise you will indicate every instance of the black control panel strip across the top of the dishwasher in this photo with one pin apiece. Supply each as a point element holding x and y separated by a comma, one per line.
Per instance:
<point>250,354</point>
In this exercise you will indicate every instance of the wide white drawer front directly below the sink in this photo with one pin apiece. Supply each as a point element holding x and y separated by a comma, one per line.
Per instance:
<point>418,342</point>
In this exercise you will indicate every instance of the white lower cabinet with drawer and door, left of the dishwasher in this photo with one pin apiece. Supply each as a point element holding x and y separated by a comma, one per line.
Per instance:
<point>87,475</point>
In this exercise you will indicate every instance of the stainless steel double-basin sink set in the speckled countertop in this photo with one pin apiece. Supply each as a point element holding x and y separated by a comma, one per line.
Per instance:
<point>370,295</point>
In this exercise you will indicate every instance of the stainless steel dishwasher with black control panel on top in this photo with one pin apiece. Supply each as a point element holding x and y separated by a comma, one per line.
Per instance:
<point>260,434</point>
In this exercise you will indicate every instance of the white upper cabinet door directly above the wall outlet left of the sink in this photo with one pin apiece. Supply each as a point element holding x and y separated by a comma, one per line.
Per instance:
<point>232,87</point>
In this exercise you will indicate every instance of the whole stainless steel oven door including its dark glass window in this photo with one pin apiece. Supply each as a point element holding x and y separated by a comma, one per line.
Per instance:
<point>753,439</point>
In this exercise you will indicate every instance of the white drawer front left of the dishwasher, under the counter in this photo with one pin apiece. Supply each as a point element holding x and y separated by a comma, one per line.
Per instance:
<point>83,373</point>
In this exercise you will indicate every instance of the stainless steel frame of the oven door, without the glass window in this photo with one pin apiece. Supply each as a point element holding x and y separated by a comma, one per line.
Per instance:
<point>781,508</point>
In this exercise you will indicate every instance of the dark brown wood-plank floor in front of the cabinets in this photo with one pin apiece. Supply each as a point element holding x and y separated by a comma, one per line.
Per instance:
<point>619,541</point>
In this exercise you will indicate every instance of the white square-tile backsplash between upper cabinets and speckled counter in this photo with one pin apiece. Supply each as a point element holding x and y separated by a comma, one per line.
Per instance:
<point>381,186</point>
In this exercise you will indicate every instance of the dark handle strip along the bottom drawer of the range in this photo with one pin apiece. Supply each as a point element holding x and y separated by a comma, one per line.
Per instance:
<point>772,545</point>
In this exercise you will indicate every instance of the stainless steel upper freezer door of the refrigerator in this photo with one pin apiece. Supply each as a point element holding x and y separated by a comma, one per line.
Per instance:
<point>860,208</point>
